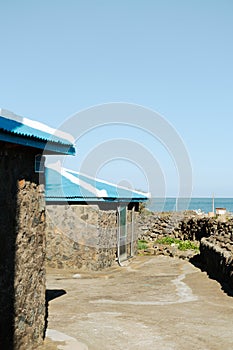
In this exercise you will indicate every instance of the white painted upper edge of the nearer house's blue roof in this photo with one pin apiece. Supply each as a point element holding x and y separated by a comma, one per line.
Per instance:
<point>36,125</point>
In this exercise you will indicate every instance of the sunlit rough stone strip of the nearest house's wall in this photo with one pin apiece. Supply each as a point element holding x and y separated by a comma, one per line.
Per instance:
<point>29,266</point>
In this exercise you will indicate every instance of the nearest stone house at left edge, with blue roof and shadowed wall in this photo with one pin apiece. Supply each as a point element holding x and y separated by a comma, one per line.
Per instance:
<point>23,144</point>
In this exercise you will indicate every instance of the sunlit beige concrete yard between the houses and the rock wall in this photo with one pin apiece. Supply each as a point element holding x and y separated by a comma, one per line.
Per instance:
<point>152,303</point>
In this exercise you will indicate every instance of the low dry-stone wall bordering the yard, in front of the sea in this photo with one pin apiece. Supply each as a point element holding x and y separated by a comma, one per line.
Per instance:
<point>214,234</point>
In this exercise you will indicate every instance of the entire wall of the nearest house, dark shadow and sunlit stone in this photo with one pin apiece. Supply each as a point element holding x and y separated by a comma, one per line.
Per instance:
<point>22,272</point>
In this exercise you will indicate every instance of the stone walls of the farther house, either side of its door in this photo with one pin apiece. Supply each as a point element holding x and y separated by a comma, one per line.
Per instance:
<point>85,236</point>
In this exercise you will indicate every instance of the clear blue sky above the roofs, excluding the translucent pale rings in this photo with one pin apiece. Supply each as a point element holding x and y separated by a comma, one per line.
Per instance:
<point>172,56</point>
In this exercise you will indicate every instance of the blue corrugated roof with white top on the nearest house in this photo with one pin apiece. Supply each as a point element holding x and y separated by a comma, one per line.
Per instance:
<point>23,131</point>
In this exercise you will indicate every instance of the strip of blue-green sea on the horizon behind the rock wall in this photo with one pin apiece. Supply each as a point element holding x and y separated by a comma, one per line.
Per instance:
<point>203,205</point>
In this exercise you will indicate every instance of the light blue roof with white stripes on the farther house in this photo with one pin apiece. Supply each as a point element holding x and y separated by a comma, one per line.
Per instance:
<point>67,185</point>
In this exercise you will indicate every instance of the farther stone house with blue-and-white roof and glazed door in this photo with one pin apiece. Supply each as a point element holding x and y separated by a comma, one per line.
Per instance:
<point>90,223</point>
